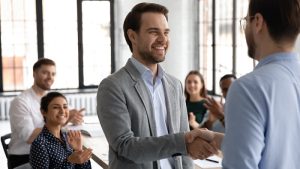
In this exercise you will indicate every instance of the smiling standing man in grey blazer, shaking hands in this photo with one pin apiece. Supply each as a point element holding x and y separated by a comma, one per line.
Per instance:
<point>141,108</point>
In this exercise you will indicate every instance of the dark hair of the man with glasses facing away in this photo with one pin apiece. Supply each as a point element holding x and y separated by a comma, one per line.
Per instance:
<point>281,17</point>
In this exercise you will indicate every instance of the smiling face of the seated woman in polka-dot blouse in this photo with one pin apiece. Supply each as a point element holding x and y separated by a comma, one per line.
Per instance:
<point>57,113</point>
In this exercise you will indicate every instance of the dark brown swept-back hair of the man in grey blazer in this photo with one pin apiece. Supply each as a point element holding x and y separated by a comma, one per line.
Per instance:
<point>133,18</point>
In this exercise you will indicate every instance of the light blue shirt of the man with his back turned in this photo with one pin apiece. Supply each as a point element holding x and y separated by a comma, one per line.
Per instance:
<point>262,116</point>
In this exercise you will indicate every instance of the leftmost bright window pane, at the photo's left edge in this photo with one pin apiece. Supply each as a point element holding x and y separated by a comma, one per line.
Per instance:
<point>18,43</point>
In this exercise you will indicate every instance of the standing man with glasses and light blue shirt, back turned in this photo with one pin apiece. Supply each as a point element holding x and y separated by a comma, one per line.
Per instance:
<point>263,107</point>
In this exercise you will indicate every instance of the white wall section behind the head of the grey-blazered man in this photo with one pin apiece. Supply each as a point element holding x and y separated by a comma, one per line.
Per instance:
<point>180,56</point>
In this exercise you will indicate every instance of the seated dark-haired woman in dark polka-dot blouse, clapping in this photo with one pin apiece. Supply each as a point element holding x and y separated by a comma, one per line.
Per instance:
<point>54,148</point>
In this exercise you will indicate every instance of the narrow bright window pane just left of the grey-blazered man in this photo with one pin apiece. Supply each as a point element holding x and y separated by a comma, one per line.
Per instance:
<point>96,41</point>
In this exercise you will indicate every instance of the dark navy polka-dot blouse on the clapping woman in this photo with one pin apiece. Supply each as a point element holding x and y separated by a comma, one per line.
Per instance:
<point>48,152</point>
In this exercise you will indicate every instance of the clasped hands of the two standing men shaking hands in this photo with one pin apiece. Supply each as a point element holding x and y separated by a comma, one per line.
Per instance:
<point>202,143</point>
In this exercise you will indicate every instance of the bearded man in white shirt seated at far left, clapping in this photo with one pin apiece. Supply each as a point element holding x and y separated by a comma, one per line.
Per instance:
<point>26,120</point>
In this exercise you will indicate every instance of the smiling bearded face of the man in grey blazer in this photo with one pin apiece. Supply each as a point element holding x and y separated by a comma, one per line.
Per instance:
<point>151,42</point>
